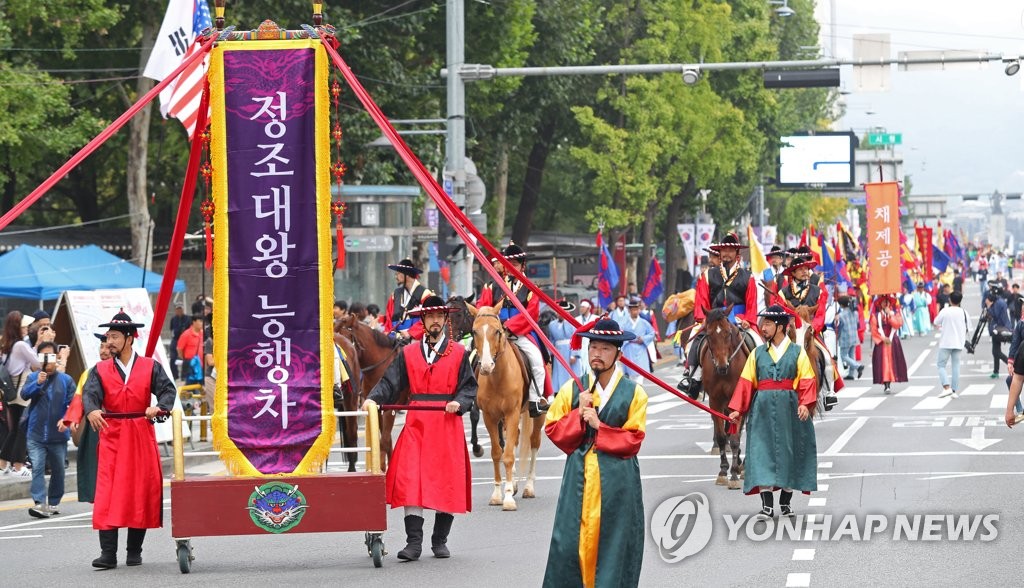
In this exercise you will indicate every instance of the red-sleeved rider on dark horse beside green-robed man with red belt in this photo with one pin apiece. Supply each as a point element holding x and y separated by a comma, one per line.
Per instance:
<point>719,287</point>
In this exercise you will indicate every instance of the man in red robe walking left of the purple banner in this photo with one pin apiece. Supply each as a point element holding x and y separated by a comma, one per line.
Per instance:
<point>130,479</point>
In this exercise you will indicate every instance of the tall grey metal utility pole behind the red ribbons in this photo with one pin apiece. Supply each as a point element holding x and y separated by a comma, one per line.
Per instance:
<point>455,146</point>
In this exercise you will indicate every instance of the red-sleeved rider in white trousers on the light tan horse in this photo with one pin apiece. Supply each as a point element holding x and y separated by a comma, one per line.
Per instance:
<point>517,325</point>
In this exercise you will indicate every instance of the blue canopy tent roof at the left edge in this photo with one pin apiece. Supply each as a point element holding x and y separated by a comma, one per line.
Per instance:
<point>44,274</point>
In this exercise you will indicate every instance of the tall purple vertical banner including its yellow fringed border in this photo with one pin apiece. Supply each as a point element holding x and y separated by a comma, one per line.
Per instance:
<point>273,272</point>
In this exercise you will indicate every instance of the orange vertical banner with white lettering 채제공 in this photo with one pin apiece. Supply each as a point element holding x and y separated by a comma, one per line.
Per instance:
<point>883,238</point>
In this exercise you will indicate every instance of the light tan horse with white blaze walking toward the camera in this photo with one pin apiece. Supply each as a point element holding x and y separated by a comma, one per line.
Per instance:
<point>503,385</point>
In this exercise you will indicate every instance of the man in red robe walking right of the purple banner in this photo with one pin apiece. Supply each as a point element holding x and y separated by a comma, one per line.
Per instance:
<point>431,464</point>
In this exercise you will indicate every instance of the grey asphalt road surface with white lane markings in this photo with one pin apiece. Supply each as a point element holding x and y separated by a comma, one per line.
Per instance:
<point>886,457</point>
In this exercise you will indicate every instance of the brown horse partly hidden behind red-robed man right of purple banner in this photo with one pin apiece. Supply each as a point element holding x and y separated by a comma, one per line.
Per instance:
<point>375,352</point>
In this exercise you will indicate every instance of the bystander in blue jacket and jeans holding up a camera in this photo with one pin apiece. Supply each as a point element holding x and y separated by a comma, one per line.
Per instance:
<point>51,393</point>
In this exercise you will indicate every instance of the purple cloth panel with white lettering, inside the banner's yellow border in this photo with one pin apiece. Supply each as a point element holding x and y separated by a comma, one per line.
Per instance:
<point>274,339</point>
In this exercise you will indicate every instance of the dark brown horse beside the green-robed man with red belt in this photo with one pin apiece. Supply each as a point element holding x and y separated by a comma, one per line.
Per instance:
<point>722,361</point>
